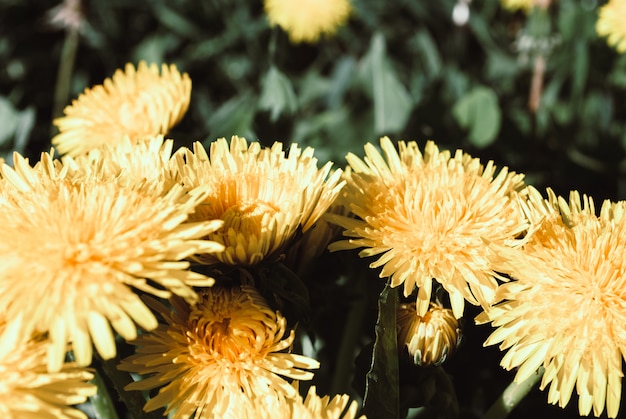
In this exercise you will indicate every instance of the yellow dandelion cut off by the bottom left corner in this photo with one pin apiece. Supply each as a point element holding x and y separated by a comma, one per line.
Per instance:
<point>28,390</point>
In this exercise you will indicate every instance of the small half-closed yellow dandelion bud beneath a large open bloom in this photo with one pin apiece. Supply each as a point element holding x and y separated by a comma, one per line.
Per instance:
<point>430,338</point>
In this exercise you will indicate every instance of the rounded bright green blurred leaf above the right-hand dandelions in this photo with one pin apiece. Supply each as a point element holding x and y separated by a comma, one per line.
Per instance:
<point>478,111</point>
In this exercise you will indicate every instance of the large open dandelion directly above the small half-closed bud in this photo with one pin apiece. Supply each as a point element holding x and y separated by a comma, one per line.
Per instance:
<point>428,215</point>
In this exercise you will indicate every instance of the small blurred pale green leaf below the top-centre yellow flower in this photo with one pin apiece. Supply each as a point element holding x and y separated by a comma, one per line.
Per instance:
<point>277,95</point>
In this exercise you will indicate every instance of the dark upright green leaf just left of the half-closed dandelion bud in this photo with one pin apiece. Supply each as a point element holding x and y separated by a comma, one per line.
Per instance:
<point>382,391</point>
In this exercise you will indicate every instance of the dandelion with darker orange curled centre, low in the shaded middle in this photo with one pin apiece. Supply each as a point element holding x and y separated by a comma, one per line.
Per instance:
<point>221,358</point>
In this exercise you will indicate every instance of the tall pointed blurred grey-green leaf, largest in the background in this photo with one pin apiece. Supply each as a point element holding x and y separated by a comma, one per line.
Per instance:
<point>392,102</point>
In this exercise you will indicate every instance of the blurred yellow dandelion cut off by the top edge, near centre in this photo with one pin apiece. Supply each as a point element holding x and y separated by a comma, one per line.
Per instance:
<point>307,20</point>
